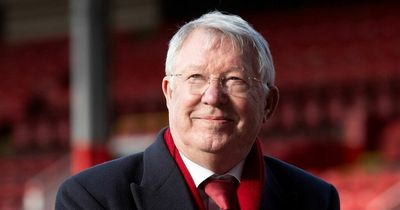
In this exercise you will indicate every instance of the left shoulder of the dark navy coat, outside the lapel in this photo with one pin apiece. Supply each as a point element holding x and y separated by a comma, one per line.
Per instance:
<point>103,185</point>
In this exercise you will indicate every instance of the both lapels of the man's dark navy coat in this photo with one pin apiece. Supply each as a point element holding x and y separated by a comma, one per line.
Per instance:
<point>163,186</point>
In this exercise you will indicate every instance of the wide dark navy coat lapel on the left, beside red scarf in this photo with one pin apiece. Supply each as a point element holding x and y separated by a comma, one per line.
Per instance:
<point>162,186</point>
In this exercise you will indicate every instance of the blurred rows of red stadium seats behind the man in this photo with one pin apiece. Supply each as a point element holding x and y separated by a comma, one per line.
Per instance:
<point>338,71</point>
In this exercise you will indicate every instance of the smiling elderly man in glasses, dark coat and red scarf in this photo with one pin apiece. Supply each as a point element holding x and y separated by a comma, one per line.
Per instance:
<point>219,89</point>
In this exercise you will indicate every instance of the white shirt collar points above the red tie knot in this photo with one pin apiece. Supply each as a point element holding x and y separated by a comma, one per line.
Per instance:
<point>199,173</point>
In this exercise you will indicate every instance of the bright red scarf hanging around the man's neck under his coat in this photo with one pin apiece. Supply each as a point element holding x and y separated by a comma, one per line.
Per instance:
<point>251,183</point>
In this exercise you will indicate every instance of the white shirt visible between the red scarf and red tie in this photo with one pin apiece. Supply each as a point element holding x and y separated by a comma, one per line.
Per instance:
<point>199,174</point>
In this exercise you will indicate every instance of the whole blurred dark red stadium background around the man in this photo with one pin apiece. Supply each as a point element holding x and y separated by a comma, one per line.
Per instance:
<point>338,70</point>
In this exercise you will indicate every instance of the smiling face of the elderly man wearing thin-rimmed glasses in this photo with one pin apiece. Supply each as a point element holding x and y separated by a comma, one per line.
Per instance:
<point>213,121</point>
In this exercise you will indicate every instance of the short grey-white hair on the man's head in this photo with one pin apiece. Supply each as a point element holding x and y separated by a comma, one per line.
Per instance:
<point>234,27</point>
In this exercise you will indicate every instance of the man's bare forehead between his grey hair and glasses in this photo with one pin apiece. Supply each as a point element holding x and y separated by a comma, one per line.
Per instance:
<point>211,48</point>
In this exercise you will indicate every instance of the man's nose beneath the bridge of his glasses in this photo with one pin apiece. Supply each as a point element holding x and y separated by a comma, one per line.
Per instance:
<point>214,94</point>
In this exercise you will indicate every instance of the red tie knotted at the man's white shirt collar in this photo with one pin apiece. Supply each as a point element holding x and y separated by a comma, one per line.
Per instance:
<point>223,192</point>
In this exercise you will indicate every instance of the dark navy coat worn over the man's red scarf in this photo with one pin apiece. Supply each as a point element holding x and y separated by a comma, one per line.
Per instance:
<point>152,180</point>
